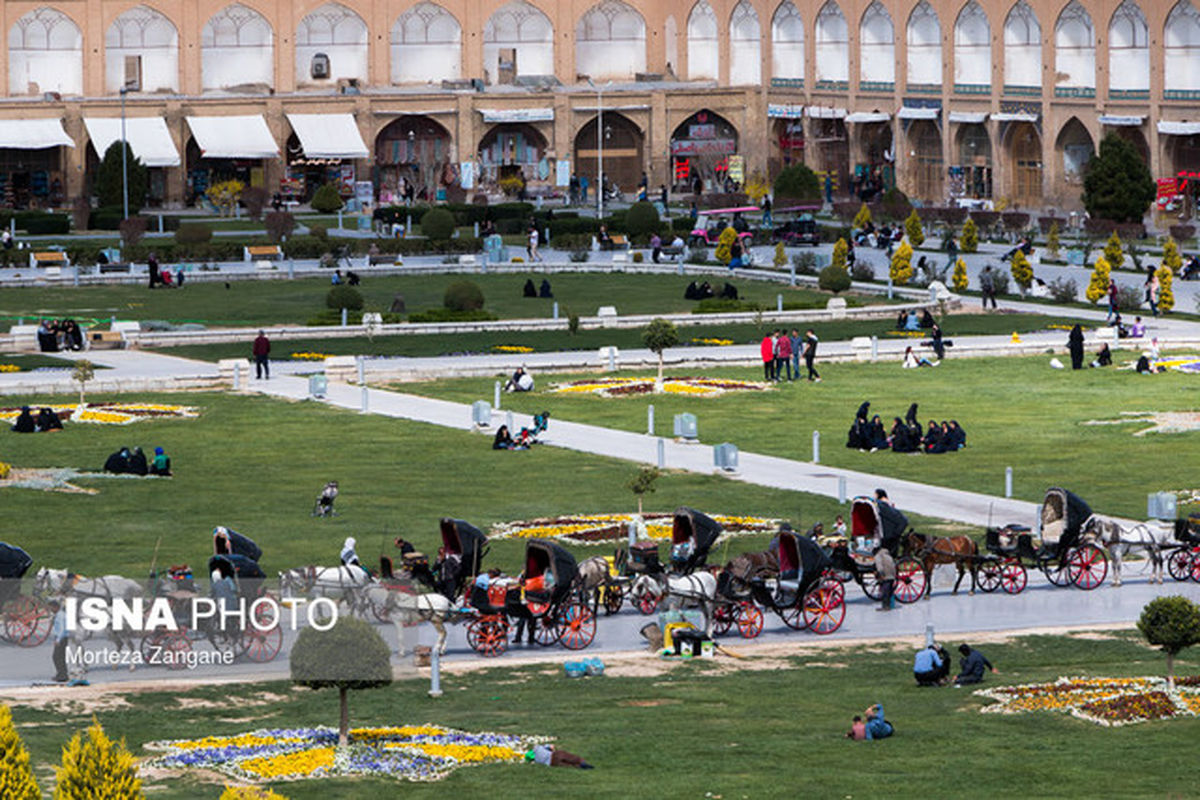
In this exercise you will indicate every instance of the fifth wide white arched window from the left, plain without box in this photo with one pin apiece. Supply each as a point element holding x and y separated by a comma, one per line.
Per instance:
<point>427,46</point>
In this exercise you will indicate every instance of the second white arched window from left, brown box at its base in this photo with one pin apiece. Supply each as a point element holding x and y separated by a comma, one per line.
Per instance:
<point>142,50</point>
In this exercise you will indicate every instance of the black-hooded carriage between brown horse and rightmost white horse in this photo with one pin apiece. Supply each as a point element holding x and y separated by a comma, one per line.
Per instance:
<point>1066,556</point>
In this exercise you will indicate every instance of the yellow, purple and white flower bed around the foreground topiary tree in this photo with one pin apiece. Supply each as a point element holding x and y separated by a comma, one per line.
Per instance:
<point>407,753</point>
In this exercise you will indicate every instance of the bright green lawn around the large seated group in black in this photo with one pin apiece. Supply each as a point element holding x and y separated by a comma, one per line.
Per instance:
<point>1017,413</point>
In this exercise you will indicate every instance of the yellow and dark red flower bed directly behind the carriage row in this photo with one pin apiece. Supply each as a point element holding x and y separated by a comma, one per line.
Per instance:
<point>597,528</point>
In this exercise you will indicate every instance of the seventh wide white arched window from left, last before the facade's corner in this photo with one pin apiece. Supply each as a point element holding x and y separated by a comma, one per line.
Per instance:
<point>610,41</point>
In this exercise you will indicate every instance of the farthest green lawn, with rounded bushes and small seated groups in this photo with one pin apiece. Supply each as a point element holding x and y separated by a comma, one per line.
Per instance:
<point>267,303</point>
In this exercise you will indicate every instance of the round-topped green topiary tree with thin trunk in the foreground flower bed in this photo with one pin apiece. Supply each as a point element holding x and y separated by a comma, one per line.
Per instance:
<point>349,657</point>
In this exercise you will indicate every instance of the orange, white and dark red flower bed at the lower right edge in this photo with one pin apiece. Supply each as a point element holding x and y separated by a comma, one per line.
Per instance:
<point>1105,701</point>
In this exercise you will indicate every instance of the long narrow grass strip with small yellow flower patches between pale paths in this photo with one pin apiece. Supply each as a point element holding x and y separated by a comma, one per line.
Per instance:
<point>592,340</point>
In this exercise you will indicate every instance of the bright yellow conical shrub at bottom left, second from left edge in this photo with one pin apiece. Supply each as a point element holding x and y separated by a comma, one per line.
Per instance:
<point>97,767</point>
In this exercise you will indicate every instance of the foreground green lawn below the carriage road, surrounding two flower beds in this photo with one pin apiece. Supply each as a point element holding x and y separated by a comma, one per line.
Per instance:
<point>706,729</point>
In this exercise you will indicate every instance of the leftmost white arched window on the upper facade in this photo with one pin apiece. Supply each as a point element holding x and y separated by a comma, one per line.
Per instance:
<point>45,55</point>
